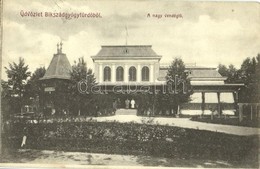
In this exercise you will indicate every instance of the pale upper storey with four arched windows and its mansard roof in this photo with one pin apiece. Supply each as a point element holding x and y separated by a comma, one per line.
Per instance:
<point>126,65</point>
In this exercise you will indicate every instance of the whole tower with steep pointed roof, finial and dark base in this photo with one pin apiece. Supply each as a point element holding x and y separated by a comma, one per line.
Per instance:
<point>55,83</point>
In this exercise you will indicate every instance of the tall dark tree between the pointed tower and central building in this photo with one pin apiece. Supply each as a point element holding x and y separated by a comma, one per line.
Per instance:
<point>82,79</point>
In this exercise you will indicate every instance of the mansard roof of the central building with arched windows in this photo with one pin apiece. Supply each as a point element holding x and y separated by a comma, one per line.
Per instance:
<point>126,51</point>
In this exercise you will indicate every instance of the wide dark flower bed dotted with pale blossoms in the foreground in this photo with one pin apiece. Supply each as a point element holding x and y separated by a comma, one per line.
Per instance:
<point>136,139</point>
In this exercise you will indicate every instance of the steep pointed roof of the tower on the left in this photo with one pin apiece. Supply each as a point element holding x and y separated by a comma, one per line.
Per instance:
<point>59,68</point>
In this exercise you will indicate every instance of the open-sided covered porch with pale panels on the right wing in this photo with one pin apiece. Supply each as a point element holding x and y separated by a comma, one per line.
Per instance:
<point>217,99</point>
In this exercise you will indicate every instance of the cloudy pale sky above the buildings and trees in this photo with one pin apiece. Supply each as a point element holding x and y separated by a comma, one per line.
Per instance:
<point>208,33</point>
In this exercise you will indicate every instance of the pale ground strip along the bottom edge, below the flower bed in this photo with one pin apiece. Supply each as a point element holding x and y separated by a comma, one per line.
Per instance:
<point>61,159</point>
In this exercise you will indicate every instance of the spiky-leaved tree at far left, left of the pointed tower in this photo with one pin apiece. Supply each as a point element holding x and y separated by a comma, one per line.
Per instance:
<point>17,78</point>
